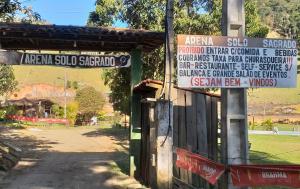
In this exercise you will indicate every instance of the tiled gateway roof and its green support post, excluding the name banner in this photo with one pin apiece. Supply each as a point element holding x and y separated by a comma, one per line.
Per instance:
<point>71,38</point>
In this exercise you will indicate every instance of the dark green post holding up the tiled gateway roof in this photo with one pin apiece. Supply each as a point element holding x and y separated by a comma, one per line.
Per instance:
<point>135,123</point>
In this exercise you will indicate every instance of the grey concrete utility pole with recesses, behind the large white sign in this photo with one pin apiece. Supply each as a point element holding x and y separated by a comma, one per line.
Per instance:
<point>234,101</point>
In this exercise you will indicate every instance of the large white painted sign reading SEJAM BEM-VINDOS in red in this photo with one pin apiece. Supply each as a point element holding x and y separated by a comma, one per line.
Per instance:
<point>233,62</point>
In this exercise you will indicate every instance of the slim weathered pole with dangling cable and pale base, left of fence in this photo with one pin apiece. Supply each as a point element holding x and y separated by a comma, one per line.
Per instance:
<point>164,110</point>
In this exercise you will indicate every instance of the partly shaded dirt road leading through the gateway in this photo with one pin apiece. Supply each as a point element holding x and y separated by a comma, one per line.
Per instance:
<point>75,158</point>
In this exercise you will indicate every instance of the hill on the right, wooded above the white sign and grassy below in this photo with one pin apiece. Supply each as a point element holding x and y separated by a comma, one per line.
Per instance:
<point>282,17</point>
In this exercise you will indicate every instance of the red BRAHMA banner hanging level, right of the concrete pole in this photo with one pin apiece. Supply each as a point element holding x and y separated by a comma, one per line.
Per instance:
<point>265,175</point>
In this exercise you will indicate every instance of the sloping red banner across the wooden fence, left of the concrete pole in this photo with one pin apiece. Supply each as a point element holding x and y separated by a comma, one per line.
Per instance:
<point>206,168</point>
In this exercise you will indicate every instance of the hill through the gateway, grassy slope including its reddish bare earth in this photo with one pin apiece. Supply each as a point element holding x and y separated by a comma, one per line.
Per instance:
<point>47,82</point>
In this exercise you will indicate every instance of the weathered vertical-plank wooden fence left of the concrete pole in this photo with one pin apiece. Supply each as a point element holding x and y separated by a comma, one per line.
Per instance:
<point>195,122</point>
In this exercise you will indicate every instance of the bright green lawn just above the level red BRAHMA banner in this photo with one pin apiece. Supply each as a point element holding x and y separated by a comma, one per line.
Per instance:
<point>274,149</point>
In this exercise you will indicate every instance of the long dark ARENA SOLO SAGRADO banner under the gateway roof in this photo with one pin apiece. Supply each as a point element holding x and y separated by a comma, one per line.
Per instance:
<point>64,60</point>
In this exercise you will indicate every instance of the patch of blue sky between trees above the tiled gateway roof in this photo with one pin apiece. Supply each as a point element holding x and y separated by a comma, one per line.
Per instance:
<point>63,12</point>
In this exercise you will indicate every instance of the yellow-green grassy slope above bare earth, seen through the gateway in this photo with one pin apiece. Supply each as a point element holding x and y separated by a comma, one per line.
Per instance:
<point>27,75</point>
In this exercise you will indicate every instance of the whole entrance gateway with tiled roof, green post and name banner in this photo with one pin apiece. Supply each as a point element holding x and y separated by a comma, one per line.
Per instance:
<point>125,48</point>
